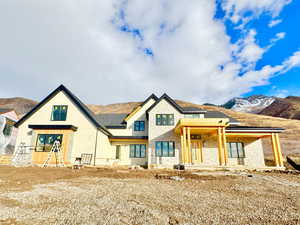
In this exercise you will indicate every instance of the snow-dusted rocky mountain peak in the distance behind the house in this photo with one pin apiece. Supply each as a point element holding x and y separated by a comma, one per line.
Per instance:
<point>251,104</point>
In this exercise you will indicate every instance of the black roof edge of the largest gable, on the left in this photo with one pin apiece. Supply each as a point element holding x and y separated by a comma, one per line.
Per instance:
<point>82,107</point>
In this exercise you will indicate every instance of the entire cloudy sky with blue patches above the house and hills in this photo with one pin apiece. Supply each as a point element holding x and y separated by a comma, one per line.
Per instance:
<point>112,51</point>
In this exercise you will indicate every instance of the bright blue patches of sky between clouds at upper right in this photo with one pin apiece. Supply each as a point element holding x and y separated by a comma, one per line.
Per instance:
<point>289,82</point>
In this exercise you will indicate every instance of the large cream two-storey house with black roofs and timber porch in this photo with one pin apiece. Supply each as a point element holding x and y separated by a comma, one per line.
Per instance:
<point>157,133</point>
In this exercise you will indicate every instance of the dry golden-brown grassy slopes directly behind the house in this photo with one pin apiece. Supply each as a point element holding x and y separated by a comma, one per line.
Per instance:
<point>290,138</point>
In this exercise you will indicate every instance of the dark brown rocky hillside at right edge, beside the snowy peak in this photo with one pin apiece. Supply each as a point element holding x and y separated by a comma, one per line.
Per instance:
<point>288,107</point>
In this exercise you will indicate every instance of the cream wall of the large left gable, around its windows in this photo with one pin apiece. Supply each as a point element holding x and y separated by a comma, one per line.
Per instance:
<point>84,138</point>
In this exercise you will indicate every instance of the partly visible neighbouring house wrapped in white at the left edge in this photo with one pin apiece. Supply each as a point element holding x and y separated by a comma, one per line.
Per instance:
<point>8,133</point>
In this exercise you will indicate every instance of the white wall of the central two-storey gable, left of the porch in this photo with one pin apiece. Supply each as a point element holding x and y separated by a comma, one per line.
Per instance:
<point>163,133</point>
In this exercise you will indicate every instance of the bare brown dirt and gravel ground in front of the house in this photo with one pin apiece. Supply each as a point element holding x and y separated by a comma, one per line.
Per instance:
<point>119,196</point>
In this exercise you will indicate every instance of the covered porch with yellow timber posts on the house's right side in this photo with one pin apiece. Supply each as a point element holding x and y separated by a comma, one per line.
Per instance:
<point>196,133</point>
